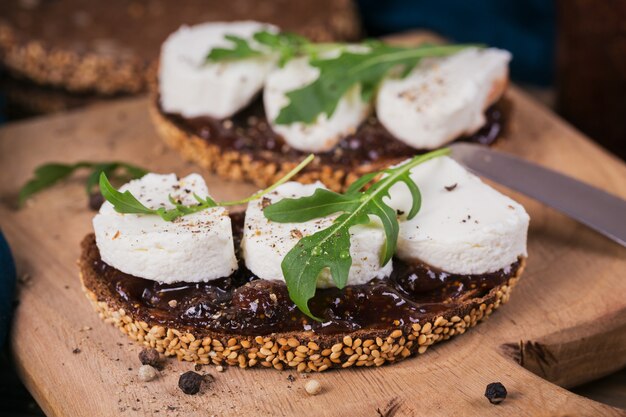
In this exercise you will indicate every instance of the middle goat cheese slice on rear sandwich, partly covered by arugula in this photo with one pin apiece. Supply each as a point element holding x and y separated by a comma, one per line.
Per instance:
<point>325,132</point>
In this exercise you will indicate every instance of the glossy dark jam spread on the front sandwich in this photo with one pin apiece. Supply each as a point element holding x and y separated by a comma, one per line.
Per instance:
<point>247,305</point>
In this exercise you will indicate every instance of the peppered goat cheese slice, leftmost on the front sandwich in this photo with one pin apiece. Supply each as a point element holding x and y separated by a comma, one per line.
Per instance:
<point>194,248</point>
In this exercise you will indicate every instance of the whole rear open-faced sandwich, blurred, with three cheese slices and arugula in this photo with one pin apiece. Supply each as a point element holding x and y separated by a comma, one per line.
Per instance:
<point>246,100</point>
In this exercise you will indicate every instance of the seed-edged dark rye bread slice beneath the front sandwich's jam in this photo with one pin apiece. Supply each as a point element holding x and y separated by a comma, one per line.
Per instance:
<point>303,351</point>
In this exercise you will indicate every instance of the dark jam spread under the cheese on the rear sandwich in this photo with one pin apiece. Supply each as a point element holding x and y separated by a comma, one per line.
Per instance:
<point>249,132</point>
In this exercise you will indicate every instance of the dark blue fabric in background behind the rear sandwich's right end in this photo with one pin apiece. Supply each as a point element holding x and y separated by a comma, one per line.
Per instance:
<point>524,27</point>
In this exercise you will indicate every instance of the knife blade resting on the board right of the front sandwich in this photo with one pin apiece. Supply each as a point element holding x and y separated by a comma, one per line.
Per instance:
<point>591,206</point>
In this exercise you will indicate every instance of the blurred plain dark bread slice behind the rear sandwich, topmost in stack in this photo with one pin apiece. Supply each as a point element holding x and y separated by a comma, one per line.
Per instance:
<point>111,47</point>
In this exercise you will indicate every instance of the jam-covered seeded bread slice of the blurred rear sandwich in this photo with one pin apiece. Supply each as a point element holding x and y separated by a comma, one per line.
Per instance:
<point>264,167</point>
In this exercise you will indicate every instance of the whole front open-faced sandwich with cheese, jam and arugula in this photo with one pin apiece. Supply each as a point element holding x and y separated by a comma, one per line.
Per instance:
<point>307,278</point>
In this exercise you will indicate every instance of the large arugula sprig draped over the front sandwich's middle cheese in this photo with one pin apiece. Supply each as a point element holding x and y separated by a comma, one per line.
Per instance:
<point>330,247</point>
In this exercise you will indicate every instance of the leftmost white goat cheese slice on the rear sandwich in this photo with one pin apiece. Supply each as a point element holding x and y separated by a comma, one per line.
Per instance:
<point>192,87</point>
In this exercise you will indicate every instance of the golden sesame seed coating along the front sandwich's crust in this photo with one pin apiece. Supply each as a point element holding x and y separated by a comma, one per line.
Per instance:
<point>303,355</point>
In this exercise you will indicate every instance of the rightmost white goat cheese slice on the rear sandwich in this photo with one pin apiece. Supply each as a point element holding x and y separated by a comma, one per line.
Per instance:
<point>443,98</point>
